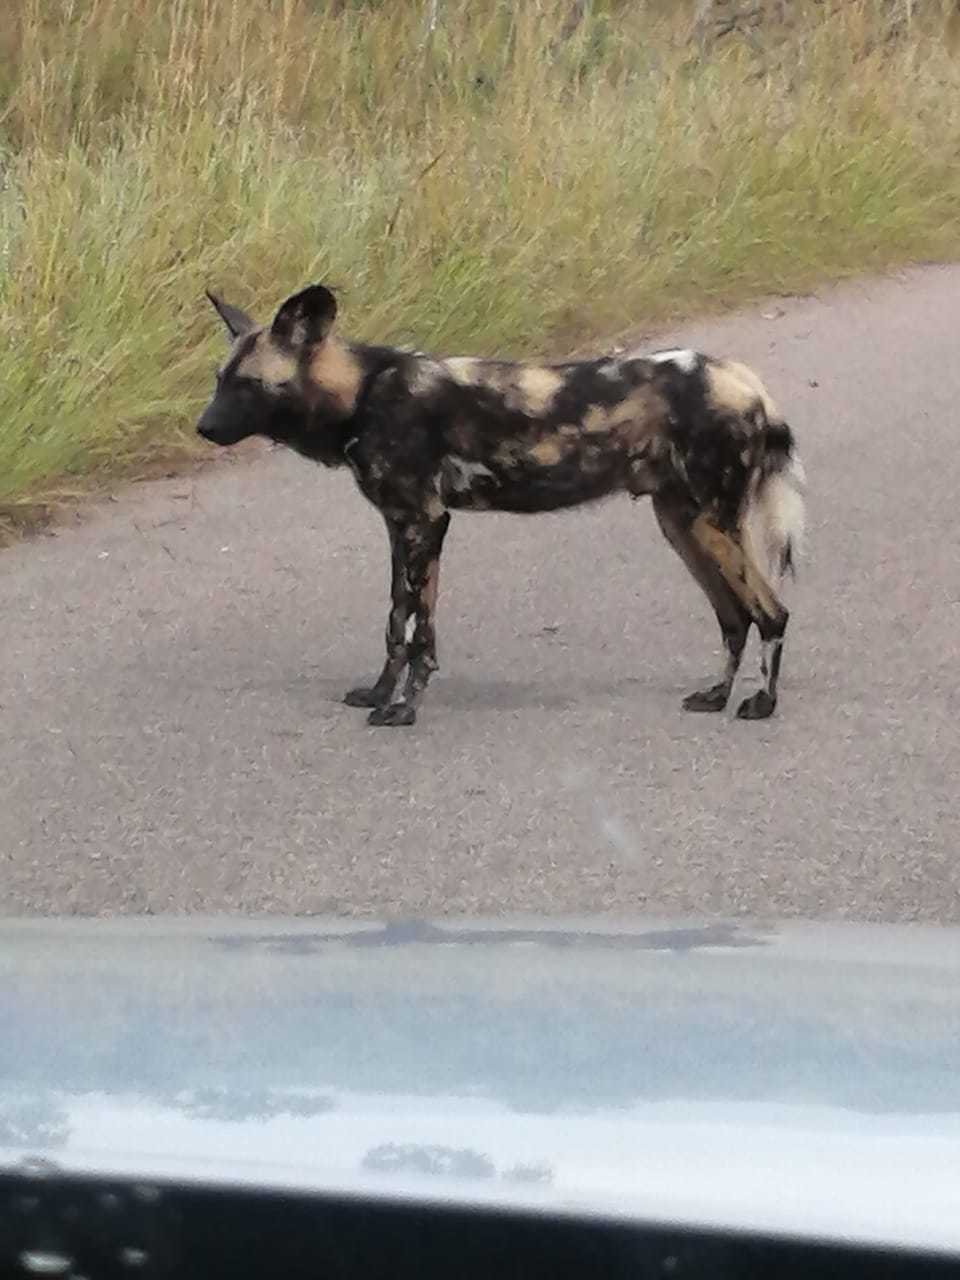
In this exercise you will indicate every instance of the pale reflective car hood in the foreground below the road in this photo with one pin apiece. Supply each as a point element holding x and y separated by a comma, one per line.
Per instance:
<point>796,1080</point>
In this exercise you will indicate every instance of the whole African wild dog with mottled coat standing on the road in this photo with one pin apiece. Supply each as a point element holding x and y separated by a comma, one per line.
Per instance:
<point>427,436</point>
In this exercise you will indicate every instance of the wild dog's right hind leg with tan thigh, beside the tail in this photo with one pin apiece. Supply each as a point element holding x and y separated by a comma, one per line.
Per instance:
<point>743,575</point>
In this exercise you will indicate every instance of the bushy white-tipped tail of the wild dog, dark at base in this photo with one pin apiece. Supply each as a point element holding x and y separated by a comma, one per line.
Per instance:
<point>776,511</point>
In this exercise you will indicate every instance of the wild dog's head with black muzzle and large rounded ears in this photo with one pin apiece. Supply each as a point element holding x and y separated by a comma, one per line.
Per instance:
<point>294,382</point>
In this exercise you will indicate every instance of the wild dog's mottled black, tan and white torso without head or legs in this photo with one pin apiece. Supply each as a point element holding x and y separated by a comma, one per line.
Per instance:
<point>531,438</point>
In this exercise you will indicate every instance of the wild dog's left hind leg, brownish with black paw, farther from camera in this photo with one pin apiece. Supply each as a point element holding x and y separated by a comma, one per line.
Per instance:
<point>676,516</point>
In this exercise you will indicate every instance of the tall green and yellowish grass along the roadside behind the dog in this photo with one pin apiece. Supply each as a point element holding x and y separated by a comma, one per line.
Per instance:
<point>478,189</point>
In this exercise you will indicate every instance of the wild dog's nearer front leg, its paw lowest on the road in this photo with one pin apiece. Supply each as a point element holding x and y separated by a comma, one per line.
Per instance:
<point>420,543</point>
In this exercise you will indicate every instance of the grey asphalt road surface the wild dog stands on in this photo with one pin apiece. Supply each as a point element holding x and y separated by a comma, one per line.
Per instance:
<point>170,691</point>
